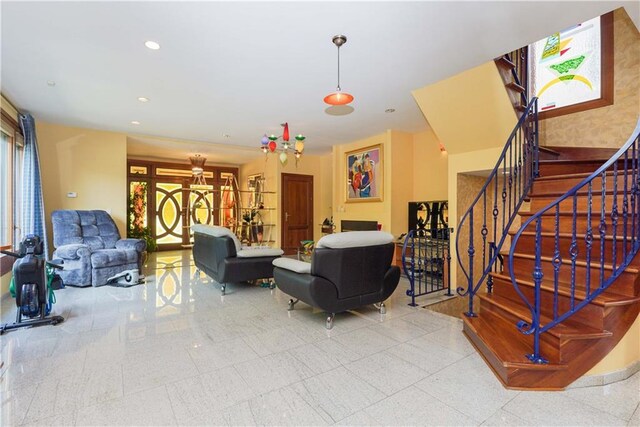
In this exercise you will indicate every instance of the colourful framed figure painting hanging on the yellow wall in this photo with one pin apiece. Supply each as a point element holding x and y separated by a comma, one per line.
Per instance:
<point>364,169</point>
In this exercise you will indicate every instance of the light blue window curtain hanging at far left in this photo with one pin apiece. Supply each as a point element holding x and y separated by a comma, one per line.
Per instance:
<point>32,220</point>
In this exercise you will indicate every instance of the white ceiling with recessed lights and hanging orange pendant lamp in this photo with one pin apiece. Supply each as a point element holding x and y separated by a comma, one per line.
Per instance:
<point>242,68</point>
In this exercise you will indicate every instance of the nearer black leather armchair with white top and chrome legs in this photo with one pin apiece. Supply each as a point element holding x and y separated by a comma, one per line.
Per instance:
<point>347,270</point>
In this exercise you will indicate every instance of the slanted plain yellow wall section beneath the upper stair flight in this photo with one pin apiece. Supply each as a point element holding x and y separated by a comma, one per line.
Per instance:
<point>469,111</point>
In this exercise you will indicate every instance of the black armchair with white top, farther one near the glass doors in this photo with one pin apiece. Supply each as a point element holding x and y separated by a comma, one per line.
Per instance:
<point>218,252</point>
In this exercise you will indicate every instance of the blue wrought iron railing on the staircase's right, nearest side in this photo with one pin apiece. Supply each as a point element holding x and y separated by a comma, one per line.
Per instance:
<point>614,188</point>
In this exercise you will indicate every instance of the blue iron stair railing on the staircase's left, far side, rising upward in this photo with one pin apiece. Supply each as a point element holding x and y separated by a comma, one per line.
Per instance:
<point>517,167</point>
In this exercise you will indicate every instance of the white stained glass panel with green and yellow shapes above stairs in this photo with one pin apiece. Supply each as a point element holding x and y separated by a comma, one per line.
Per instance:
<point>566,66</point>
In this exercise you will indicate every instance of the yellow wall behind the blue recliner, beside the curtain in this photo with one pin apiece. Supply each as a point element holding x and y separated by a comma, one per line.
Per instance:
<point>89,162</point>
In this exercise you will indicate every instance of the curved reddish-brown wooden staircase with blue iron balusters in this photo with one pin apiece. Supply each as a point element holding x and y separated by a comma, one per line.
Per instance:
<point>577,343</point>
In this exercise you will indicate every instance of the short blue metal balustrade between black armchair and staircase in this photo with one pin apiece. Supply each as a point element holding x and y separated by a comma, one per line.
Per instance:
<point>426,262</point>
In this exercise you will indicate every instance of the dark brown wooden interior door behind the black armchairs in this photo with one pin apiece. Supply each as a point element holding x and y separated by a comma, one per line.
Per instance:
<point>297,211</point>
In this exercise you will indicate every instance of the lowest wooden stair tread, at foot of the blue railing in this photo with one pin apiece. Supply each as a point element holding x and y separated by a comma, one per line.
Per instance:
<point>511,349</point>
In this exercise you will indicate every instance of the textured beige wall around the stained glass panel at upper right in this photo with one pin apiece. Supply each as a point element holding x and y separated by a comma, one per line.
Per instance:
<point>608,126</point>
